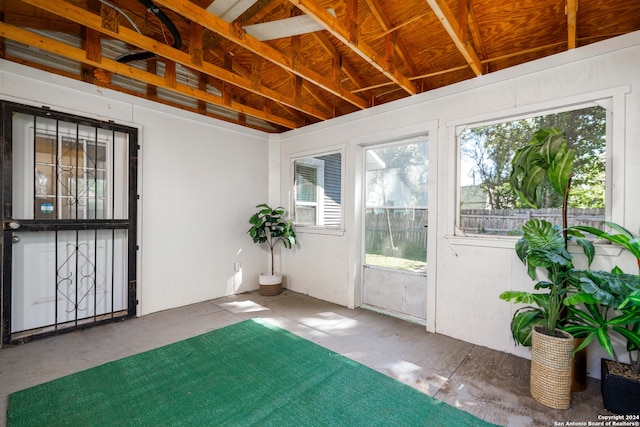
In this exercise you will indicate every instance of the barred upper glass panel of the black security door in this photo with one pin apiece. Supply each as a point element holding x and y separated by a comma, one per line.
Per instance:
<point>68,171</point>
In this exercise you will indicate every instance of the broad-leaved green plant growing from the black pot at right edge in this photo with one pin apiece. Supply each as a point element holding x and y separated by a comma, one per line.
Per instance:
<point>607,304</point>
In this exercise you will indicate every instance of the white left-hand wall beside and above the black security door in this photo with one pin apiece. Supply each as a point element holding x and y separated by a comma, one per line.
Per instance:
<point>199,180</point>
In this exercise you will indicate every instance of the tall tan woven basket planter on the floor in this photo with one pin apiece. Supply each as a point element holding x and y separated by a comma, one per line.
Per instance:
<point>551,363</point>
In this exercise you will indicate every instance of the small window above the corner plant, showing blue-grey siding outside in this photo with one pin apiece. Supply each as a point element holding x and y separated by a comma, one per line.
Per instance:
<point>318,190</point>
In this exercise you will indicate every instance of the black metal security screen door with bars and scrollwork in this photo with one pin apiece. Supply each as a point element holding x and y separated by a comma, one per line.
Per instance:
<point>68,222</point>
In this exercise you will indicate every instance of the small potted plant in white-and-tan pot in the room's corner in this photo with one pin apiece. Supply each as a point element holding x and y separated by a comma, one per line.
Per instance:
<point>270,226</point>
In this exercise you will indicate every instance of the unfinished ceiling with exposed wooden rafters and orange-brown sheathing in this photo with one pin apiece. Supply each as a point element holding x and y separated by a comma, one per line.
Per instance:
<point>276,65</point>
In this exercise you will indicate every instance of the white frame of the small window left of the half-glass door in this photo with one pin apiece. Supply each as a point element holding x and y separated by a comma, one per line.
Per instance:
<point>309,158</point>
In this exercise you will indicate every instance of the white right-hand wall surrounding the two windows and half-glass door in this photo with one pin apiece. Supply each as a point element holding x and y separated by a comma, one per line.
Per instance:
<point>467,274</point>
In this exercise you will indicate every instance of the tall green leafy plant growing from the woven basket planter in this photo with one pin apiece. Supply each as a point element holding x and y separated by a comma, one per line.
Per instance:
<point>546,157</point>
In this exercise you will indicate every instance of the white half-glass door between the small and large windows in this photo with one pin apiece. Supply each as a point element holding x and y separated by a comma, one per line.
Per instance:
<point>395,229</point>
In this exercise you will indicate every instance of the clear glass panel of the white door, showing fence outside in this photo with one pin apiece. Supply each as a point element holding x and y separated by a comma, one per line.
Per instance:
<point>396,206</point>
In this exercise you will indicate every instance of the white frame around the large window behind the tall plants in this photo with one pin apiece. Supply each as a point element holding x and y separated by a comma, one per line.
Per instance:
<point>611,100</point>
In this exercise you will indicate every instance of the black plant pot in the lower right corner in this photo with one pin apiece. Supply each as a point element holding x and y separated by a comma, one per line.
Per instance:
<point>620,395</point>
